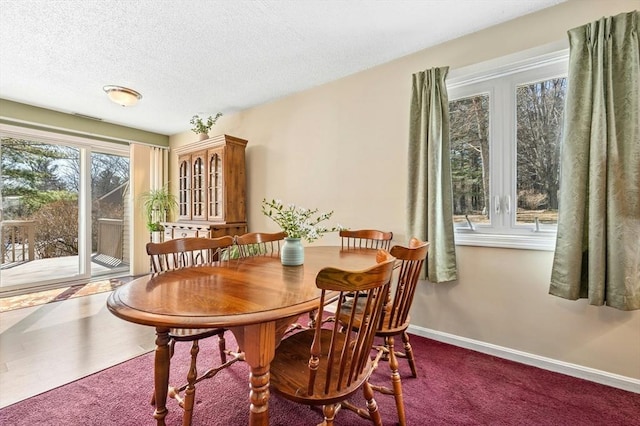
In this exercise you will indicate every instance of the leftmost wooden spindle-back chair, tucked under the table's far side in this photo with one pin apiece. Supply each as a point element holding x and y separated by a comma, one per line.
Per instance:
<point>181,253</point>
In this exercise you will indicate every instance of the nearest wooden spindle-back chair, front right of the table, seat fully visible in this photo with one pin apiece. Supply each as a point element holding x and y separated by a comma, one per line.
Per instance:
<point>324,366</point>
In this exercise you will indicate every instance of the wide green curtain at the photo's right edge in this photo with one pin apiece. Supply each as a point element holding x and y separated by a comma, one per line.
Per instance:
<point>598,246</point>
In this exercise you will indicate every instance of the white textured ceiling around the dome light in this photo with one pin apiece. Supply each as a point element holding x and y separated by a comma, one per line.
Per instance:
<point>203,56</point>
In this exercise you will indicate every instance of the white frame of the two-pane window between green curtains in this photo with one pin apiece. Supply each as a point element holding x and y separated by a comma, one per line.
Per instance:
<point>499,78</point>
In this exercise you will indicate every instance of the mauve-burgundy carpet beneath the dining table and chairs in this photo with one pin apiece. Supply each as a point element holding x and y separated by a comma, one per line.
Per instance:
<point>455,387</point>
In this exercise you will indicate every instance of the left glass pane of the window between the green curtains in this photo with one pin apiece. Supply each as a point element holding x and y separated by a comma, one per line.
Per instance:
<point>469,122</point>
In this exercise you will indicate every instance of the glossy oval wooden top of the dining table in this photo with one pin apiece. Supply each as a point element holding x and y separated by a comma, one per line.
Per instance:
<point>237,292</point>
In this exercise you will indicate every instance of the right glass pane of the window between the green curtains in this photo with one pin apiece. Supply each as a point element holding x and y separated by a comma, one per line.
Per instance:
<point>540,107</point>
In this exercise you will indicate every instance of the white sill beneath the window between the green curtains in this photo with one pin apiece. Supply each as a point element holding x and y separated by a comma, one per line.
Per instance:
<point>545,241</point>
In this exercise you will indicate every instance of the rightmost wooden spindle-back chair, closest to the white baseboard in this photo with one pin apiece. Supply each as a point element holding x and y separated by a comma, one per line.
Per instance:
<point>395,317</point>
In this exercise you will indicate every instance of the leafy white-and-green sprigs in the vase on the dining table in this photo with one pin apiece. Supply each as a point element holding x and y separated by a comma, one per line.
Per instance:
<point>298,222</point>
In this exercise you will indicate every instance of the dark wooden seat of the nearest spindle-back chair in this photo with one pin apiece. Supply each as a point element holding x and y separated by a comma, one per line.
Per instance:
<point>290,370</point>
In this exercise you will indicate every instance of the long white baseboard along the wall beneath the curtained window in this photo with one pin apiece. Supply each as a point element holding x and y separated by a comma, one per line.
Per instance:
<point>574,370</point>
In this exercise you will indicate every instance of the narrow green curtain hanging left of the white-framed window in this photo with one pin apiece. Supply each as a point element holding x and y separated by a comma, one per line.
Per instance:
<point>430,205</point>
